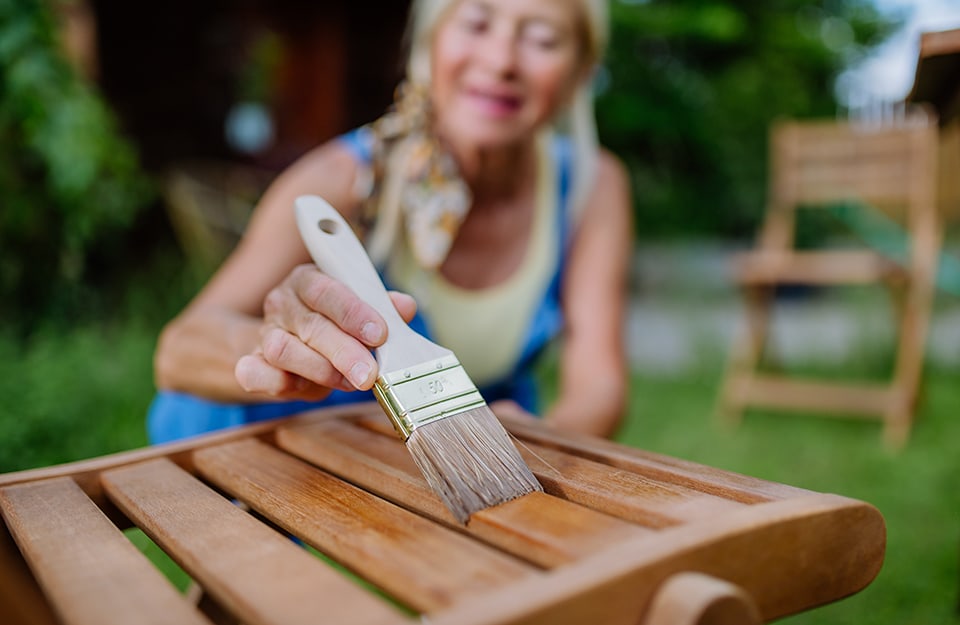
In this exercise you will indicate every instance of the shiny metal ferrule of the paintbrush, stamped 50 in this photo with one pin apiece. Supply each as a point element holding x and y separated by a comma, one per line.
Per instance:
<point>424,393</point>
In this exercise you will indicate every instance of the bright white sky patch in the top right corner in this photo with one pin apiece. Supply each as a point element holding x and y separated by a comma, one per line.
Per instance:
<point>888,74</point>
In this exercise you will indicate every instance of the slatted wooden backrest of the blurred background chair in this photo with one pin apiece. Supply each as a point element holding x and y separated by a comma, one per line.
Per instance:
<point>830,163</point>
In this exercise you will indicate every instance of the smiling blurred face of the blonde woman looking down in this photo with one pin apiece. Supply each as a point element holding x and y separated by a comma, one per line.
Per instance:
<point>502,68</point>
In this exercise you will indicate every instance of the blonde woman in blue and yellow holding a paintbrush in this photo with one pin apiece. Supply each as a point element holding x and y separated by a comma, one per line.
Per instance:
<point>503,231</point>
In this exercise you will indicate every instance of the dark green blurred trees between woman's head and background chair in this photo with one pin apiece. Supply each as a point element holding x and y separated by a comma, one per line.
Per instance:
<point>691,87</point>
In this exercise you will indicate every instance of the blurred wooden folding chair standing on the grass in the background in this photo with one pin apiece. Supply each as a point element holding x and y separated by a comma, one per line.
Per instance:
<point>817,164</point>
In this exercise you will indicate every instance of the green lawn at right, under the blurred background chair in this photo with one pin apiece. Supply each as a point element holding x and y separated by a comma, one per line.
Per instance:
<point>916,490</point>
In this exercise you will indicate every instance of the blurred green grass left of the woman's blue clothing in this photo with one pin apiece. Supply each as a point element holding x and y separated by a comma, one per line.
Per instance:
<point>73,394</point>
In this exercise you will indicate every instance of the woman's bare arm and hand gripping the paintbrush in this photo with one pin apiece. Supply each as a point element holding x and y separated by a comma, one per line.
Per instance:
<point>221,347</point>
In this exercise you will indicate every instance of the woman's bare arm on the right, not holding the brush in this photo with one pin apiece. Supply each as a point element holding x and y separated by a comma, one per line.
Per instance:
<point>593,368</point>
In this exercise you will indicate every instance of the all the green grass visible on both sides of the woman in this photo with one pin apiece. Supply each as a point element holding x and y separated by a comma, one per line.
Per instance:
<point>78,393</point>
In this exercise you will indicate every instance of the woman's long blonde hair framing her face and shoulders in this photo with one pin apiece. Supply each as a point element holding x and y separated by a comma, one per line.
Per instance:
<point>576,119</point>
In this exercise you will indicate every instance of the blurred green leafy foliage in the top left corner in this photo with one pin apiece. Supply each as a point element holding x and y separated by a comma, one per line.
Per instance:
<point>69,182</point>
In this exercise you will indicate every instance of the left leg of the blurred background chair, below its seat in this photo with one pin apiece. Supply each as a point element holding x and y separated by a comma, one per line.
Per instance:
<point>746,353</point>
